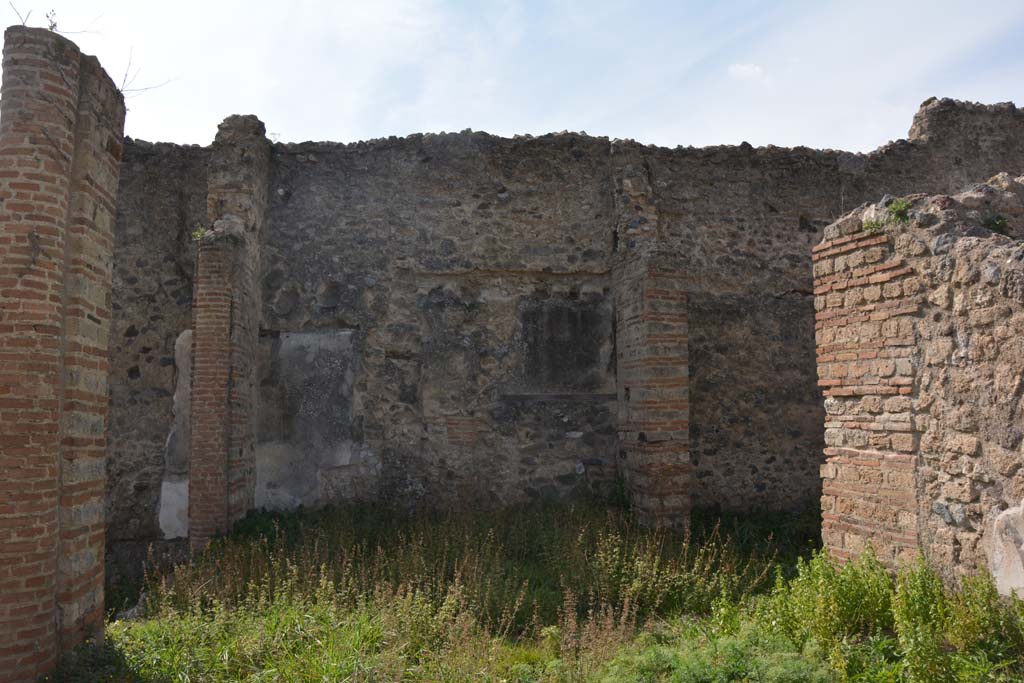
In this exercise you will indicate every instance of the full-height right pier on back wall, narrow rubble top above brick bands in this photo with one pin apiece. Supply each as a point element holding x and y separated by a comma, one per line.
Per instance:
<point>652,359</point>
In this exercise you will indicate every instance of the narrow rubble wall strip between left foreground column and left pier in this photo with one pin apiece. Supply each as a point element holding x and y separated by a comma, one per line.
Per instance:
<point>161,201</point>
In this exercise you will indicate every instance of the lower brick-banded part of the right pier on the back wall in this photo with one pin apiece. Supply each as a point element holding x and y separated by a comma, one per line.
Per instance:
<point>654,390</point>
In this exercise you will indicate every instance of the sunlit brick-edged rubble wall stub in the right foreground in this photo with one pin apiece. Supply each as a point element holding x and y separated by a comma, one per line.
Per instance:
<point>921,360</point>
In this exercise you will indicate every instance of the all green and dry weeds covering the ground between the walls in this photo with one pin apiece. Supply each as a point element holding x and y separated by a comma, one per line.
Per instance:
<point>549,595</point>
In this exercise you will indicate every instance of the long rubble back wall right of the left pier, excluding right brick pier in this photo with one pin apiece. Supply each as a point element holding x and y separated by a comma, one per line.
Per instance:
<point>460,268</point>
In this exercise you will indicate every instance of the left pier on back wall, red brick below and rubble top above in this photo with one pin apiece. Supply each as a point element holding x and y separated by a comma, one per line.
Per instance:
<point>226,328</point>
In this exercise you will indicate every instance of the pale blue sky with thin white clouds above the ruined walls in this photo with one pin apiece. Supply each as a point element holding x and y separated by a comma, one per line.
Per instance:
<point>846,75</point>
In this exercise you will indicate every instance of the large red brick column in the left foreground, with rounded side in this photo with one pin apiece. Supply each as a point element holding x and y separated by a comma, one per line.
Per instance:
<point>61,126</point>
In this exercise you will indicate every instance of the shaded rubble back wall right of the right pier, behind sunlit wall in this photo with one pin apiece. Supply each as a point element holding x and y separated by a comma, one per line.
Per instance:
<point>743,221</point>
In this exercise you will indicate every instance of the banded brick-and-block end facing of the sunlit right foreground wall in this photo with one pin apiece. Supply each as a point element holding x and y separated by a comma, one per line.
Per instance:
<point>867,300</point>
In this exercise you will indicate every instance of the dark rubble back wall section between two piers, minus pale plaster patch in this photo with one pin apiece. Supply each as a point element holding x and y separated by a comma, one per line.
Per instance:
<point>473,273</point>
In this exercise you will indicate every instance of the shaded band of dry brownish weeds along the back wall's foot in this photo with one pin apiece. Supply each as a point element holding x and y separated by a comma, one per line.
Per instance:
<point>516,568</point>
